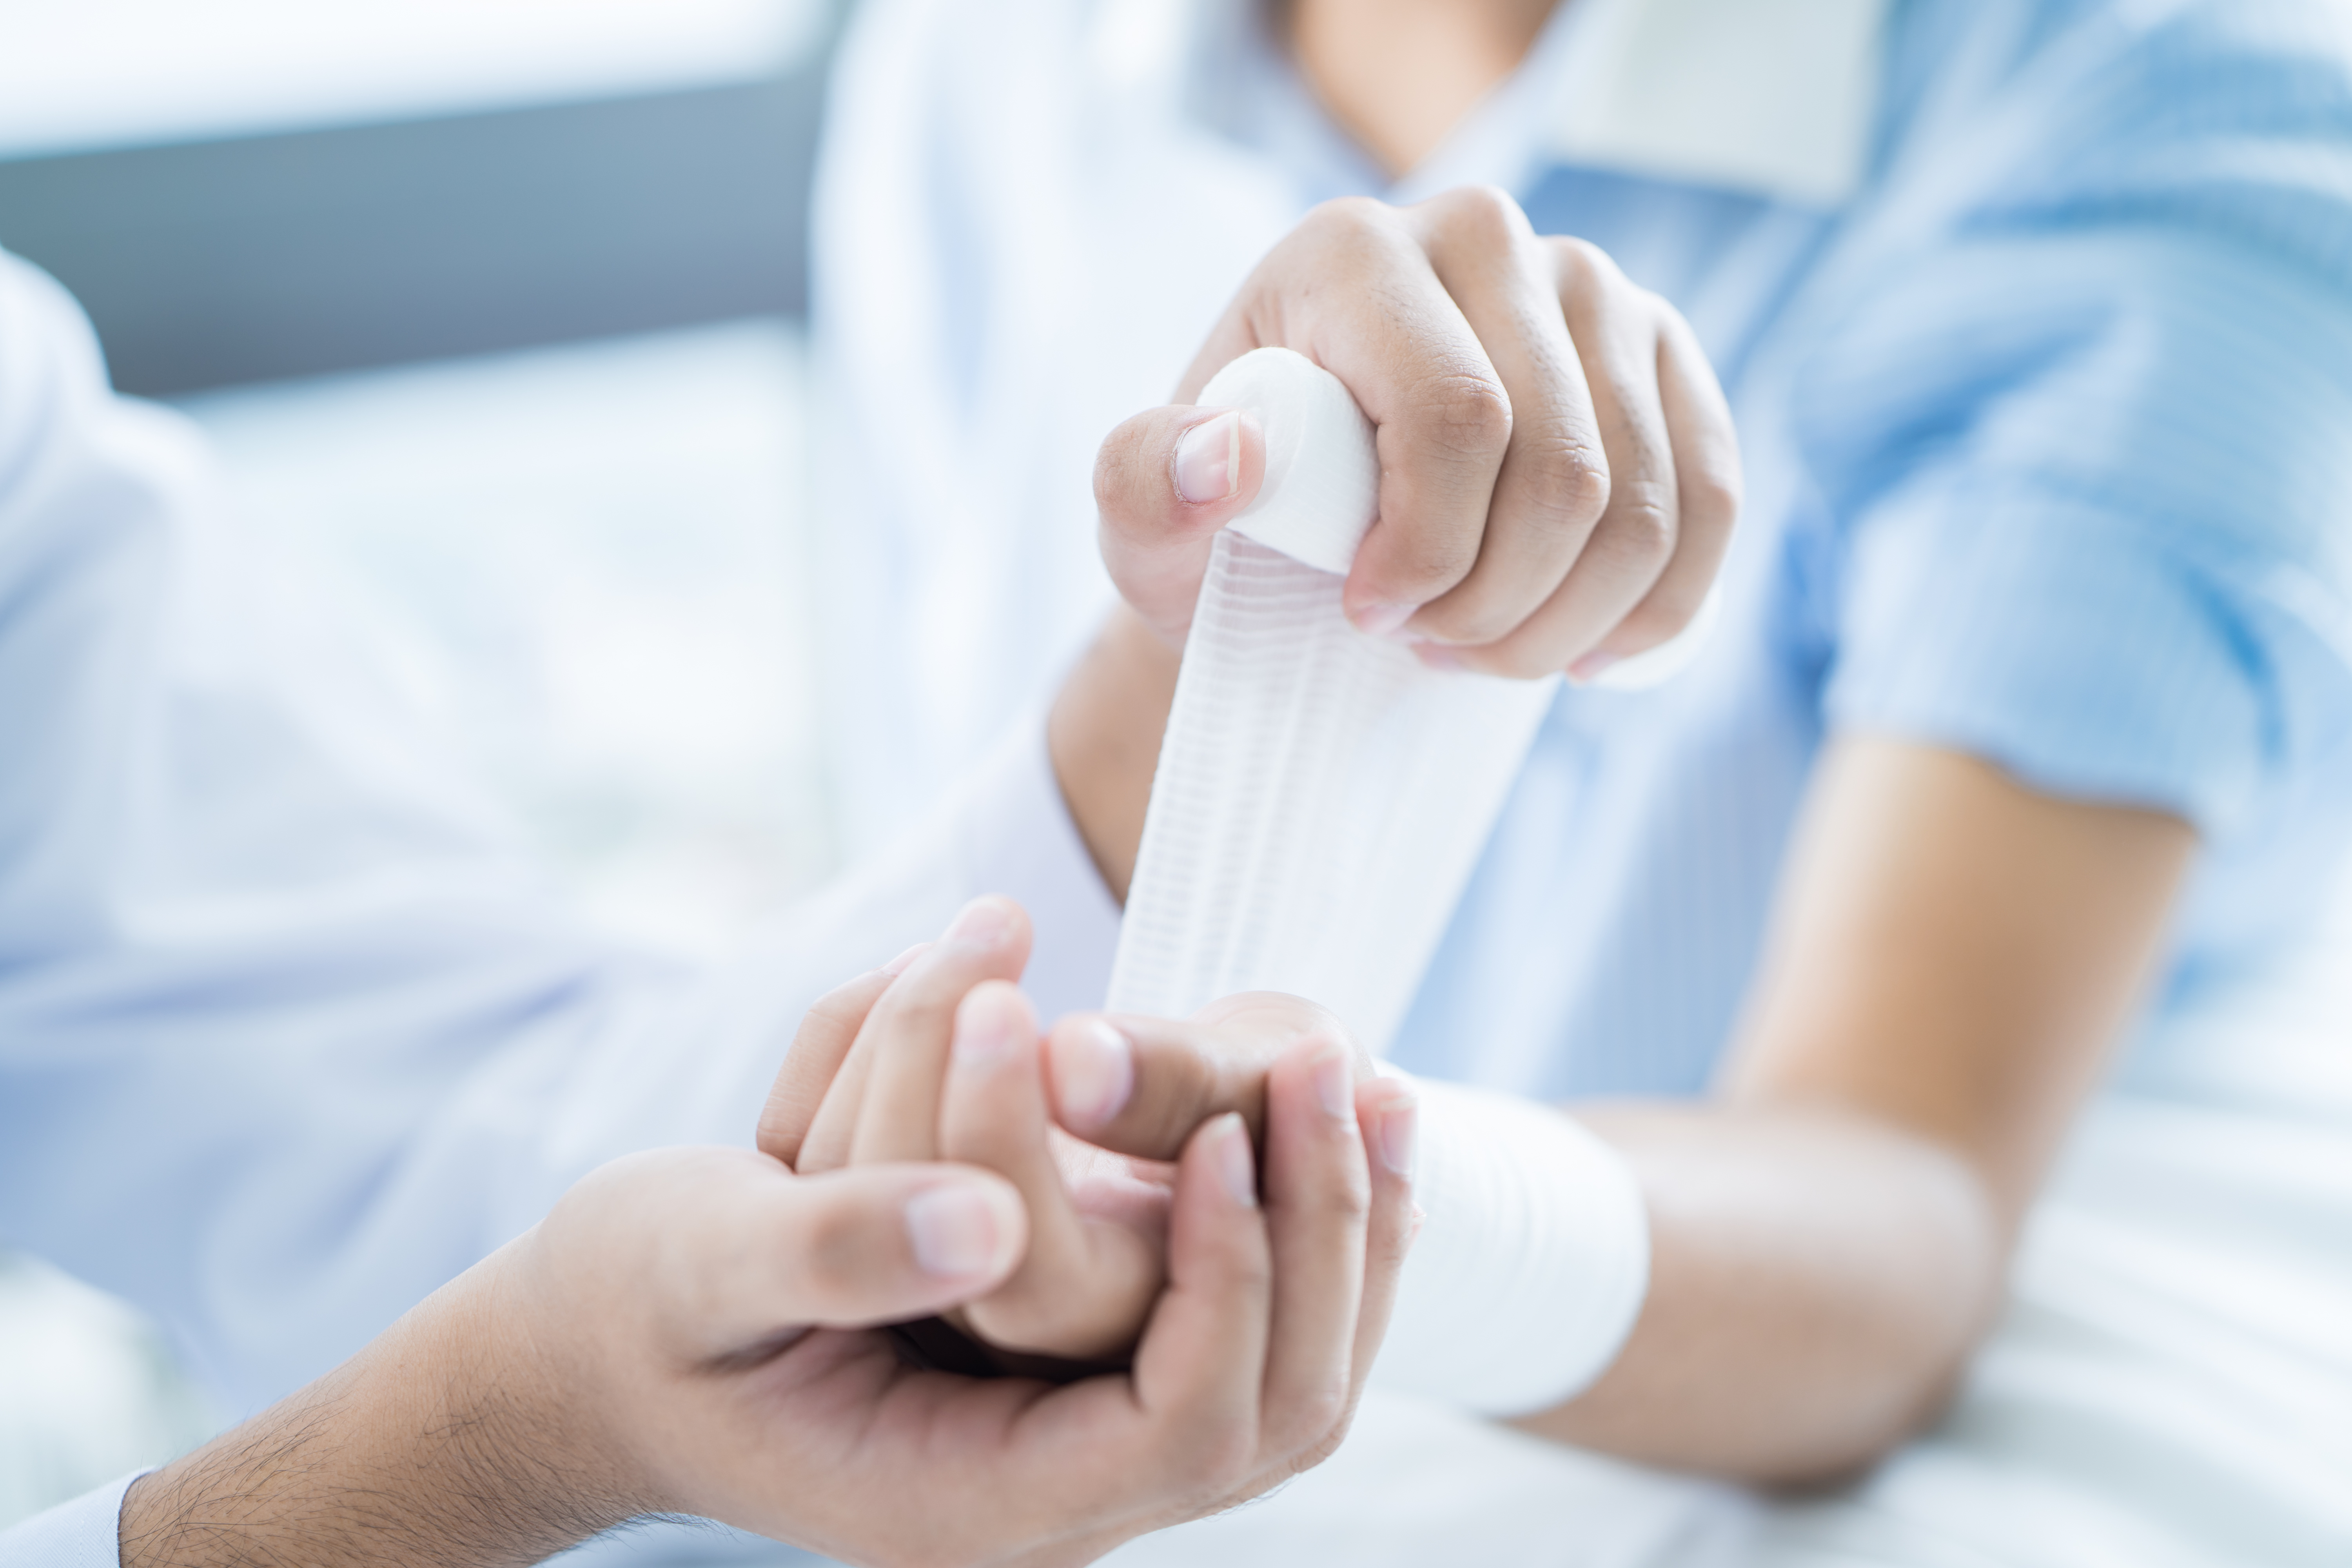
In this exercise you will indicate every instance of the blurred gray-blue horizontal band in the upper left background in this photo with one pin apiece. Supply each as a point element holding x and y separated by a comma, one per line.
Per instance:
<point>288,255</point>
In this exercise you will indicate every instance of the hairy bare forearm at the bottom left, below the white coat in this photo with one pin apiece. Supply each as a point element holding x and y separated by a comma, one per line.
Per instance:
<point>429,1449</point>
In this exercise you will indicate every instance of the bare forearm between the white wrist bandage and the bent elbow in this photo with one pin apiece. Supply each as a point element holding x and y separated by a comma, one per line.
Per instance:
<point>1817,1285</point>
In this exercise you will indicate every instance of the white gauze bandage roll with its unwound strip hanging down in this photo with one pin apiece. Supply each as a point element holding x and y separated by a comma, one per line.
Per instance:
<point>1321,796</point>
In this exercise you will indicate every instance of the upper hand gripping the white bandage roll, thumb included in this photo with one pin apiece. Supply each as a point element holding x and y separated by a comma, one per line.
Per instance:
<point>1558,464</point>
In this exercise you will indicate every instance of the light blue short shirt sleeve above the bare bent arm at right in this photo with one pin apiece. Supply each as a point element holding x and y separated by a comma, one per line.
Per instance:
<point>2087,457</point>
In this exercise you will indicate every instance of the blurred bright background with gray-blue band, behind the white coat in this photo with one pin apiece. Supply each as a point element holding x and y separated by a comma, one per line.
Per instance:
<point>493,314</point>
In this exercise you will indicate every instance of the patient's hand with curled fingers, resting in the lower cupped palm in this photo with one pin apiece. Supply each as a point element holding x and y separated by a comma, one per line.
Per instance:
<point>944,1061</point>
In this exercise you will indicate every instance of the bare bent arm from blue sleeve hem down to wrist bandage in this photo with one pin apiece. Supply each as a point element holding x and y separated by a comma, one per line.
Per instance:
<point>1949,967</point>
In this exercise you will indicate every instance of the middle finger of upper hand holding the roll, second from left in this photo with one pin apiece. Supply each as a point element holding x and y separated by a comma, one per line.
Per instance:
<point>1553,485</point>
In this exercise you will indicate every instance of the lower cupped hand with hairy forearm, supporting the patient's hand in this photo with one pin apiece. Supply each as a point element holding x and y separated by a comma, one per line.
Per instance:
<point>690,1332</point>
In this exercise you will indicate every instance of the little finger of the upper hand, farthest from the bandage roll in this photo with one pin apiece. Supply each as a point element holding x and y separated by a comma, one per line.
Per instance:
<point>1706,490</point>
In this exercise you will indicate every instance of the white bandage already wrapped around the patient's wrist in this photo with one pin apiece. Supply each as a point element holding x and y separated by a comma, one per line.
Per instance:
<point>1532,1261</point>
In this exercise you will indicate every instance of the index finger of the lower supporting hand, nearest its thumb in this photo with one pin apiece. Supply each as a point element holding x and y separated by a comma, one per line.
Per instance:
<point>1203,1358</point>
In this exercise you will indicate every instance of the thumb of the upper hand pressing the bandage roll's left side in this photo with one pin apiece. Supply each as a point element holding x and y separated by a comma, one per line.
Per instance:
<point>1165,483</point>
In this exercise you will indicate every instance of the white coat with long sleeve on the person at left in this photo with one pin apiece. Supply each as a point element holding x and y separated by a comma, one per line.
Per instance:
<point>286,1038</point>
